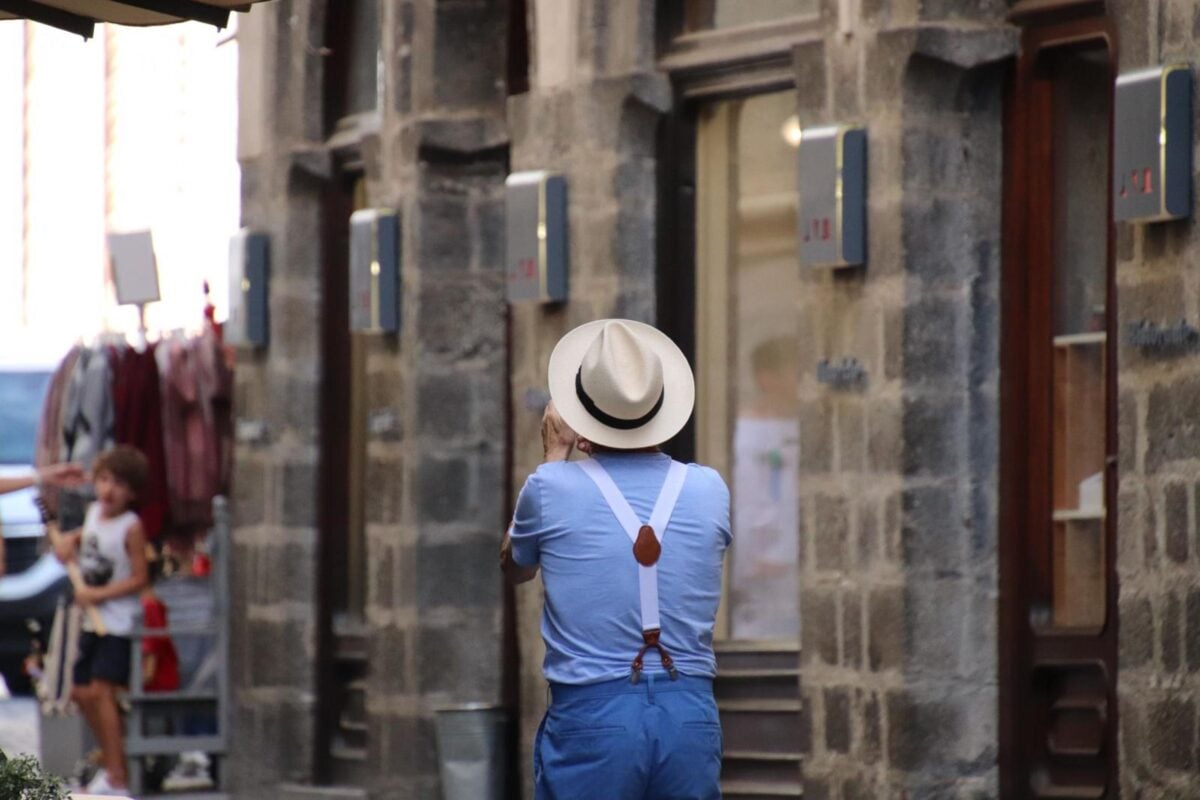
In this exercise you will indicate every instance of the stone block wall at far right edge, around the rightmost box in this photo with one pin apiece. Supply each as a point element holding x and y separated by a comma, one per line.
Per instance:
<point>1159,562</point>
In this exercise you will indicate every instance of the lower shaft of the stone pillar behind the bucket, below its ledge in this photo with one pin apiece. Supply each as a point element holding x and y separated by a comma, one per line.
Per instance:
<point>437,510</point>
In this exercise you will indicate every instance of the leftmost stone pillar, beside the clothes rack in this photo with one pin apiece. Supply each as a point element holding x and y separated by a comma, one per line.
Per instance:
<point>273,648</point>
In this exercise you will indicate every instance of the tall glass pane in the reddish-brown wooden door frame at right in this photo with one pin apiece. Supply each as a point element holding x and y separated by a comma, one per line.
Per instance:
<point>1082,98</point>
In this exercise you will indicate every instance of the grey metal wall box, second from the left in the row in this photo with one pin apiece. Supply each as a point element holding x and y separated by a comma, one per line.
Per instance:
<point>375,272</point>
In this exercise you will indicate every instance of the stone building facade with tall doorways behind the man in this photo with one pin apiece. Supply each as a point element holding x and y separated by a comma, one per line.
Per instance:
<point>376,472</point>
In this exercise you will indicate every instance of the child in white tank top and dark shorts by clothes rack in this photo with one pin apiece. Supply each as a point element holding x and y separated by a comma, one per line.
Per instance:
<point>111,551</point>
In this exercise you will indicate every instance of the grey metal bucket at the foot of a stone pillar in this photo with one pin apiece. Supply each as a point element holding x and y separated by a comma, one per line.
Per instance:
<point>473,751</point>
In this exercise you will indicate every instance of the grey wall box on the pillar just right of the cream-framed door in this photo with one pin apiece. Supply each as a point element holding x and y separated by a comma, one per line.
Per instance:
<point>832,173</point>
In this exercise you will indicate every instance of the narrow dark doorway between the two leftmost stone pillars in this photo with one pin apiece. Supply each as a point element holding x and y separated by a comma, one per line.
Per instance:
<point>351,103</point>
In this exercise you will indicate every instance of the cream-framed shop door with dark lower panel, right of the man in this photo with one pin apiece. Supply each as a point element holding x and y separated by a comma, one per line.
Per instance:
<point>747,424</point>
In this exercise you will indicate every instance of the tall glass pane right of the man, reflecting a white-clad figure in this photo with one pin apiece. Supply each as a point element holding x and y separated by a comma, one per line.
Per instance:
<point>748,290</point>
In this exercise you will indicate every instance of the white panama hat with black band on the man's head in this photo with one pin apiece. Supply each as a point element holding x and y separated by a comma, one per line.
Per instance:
<point>621,384</point>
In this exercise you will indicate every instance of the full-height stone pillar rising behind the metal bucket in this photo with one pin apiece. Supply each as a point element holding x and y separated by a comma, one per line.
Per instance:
<point>436,486</point>
